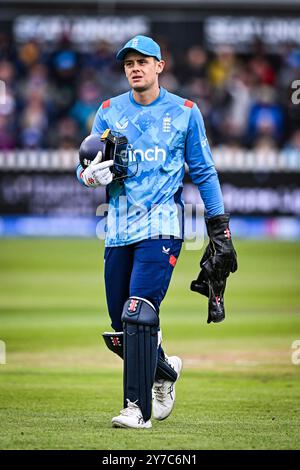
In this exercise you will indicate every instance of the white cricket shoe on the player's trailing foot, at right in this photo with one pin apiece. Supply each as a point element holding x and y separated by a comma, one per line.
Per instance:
<point>163,391</point>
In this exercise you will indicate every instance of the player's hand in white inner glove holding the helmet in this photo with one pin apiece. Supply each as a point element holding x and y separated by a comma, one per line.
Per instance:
<point>98,173</point>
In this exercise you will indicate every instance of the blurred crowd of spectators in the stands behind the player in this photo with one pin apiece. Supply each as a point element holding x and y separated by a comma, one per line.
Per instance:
<point>53,94</point>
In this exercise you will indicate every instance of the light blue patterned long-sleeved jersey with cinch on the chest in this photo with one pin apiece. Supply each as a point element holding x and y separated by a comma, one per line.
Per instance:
<point>162,136</point>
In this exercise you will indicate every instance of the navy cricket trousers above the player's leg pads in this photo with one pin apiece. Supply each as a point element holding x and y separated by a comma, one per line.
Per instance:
<point>143,269</point>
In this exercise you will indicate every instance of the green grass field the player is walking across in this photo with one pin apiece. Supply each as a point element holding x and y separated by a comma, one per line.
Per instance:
<point>60,386</point>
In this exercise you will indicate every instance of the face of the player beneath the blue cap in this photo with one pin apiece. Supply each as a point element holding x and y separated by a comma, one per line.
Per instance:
<point>142,71</point>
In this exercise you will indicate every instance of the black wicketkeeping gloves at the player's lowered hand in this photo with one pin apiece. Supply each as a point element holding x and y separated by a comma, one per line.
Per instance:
<point>218,261</point>
